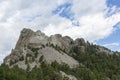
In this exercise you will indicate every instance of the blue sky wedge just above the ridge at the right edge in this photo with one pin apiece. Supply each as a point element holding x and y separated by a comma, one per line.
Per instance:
<point>112,41</point>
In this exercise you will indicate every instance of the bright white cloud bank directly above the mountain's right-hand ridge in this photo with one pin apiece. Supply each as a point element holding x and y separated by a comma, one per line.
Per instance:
<point>92,27</point>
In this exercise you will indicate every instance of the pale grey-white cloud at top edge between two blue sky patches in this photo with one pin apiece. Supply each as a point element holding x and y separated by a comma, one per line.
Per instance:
<point>86,7</point>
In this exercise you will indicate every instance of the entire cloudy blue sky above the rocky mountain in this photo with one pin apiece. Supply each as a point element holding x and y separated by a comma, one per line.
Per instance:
<point>94,20</point>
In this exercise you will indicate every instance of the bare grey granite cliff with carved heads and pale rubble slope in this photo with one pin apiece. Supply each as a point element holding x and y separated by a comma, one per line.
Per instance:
<point>34,47</point>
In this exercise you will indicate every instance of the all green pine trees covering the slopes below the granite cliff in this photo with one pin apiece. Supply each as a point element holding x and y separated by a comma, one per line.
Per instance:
<point>93,66</point>
